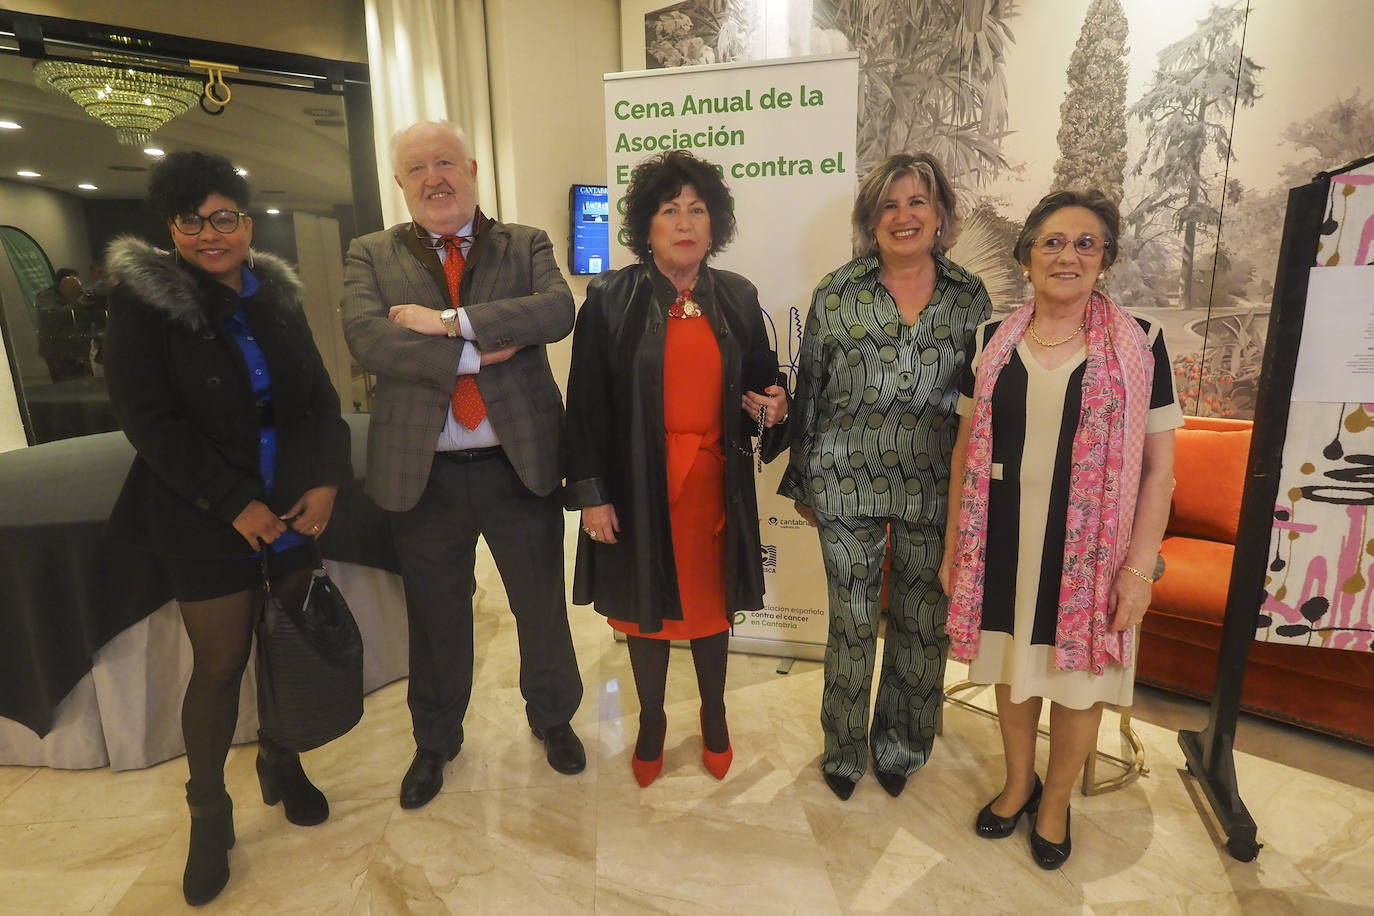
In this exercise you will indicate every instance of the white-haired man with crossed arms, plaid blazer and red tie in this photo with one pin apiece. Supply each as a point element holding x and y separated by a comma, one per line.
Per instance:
<point>446,474</point>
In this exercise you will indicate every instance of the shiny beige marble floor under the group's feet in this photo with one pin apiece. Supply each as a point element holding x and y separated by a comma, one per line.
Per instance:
<point>509,836</point>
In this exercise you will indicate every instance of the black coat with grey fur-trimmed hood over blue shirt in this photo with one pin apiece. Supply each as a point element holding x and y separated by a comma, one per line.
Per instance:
<point>181,388</point>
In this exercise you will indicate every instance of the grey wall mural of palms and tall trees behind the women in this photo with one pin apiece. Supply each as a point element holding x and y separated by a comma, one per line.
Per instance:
<point>1197,116</point>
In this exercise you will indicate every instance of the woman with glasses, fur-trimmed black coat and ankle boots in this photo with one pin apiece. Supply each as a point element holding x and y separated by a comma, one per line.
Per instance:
<point>219,387</point>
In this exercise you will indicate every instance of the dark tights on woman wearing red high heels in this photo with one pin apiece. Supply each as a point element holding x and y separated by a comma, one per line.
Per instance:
<point>649,661</point>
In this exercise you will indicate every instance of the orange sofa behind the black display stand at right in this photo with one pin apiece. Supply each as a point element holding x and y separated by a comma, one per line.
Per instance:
<point>1324,690</point>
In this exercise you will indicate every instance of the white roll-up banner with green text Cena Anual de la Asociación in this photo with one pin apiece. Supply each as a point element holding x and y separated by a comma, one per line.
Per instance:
<point>782,134</point>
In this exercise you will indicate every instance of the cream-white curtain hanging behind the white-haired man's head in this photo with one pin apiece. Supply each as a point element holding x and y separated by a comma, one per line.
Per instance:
<point>428,61</point>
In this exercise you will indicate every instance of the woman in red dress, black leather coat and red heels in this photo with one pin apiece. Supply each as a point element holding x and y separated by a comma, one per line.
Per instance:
<point>660,424</point>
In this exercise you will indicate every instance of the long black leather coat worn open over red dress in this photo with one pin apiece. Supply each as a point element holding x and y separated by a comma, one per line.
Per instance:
<point>616,448</point>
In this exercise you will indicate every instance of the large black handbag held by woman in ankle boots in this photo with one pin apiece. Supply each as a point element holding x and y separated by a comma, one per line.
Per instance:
<point>310,665</point>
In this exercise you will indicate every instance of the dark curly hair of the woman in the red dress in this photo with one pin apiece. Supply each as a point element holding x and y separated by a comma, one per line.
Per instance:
<point>660,179</point>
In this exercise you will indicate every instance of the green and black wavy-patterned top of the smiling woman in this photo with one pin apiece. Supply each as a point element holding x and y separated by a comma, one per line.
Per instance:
<point>875,409</point>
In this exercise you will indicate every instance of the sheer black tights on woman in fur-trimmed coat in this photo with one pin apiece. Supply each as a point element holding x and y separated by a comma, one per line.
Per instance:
<point>222,635</point>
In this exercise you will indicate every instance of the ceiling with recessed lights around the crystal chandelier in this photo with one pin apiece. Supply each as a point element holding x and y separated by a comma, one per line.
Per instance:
<point>292,142</point>
